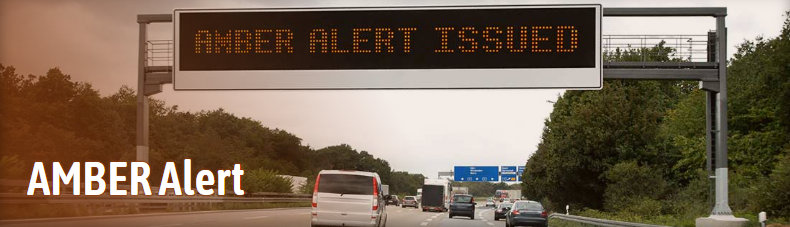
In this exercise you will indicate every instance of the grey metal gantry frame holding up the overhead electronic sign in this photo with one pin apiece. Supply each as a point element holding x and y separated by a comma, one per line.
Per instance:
<point>712,76</point>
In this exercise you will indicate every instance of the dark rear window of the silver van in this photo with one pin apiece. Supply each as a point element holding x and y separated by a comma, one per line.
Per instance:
<point>345,184</point>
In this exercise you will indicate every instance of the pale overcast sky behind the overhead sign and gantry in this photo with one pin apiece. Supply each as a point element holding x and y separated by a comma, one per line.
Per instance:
<point>422,131</point>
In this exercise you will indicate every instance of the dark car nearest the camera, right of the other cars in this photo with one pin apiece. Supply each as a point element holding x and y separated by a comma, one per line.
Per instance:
<point>526,213</point>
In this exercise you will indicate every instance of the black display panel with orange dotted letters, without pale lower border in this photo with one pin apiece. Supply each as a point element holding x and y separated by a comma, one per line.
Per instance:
<point>388,39</point>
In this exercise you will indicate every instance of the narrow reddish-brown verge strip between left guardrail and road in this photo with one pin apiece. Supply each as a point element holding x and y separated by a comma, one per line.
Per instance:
<point>31,211</point>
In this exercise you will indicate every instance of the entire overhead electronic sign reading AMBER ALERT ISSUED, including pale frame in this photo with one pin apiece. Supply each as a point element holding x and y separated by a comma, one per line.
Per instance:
<point>546,46</point>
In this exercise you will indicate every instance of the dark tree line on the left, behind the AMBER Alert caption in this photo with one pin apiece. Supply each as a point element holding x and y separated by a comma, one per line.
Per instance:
<point>51,118</point>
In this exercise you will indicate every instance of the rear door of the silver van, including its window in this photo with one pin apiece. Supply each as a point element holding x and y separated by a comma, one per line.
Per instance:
<point>345,198</point>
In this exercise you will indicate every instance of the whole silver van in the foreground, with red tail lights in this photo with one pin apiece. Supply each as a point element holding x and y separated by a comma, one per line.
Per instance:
<point>348,198</point>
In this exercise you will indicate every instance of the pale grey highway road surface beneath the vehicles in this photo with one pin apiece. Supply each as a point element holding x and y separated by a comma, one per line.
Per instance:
<point>300,217</point>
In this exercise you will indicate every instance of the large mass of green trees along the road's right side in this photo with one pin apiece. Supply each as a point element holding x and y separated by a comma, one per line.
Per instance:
<point>635,150</point>
